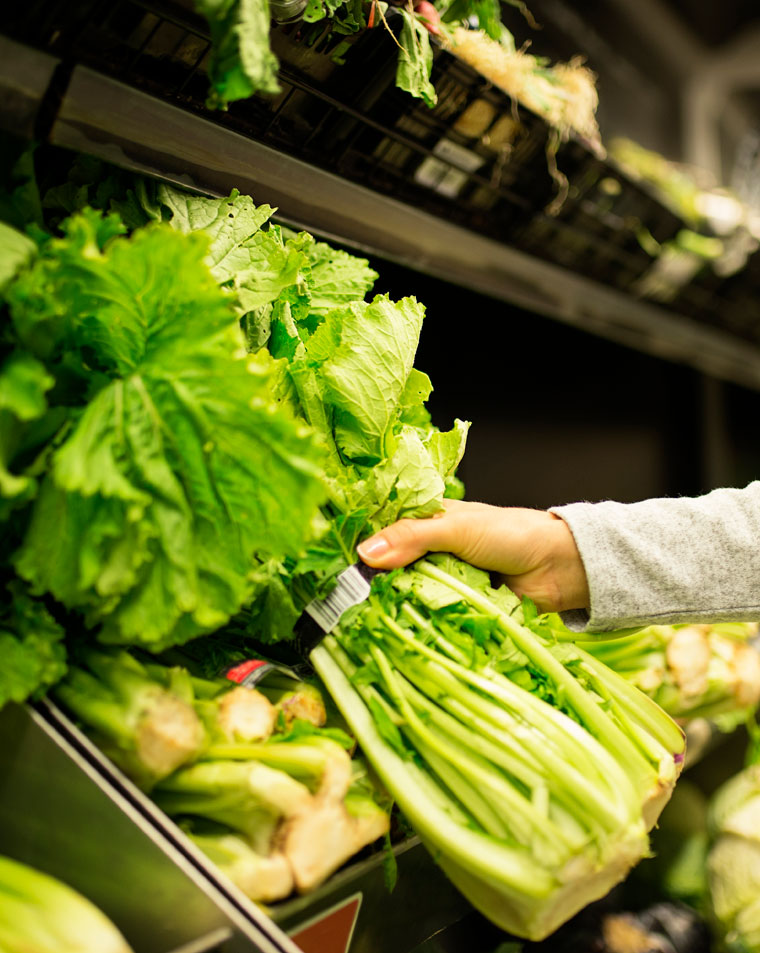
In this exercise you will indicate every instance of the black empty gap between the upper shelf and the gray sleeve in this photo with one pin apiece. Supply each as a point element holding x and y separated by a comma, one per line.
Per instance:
<point>560,415</point>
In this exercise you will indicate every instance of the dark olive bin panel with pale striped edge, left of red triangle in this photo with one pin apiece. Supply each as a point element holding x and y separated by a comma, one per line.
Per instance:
<point>59,813</point>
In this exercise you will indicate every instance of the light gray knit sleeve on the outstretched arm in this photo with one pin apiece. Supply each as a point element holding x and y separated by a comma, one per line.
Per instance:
<point>668,560</point>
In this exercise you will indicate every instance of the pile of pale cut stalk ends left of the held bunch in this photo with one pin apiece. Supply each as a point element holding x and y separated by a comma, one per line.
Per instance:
<point>271,795</point>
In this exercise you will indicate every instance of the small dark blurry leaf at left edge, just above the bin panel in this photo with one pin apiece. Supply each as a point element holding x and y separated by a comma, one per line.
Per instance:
<point>31,647</point>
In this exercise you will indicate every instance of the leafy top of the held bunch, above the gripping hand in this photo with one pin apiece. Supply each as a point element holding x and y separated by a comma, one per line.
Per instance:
<point>344,365</point>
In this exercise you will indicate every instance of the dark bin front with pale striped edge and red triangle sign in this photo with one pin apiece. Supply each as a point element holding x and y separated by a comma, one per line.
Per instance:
<point>353,912</point>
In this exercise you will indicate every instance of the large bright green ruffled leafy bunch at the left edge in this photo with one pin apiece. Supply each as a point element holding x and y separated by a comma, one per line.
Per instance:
<point>144,458</point>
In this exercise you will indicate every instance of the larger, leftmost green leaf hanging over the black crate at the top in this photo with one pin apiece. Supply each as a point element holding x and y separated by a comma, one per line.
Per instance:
<point>242,62</point>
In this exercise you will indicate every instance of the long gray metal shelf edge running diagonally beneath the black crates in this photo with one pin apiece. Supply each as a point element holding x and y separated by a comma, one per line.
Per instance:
<point>135,130</point>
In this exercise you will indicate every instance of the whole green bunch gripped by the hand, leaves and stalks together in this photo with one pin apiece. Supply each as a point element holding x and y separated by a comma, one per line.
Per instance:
<point>529,768</point>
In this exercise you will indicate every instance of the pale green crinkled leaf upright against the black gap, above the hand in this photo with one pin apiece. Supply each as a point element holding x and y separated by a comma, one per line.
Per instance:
<point>365,375</point>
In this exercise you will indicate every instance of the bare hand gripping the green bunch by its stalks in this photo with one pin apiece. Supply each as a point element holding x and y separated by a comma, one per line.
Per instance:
<point>534,550</point>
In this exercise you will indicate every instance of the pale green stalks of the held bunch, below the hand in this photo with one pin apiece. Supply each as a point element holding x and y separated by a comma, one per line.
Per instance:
<point>531,771</point>
